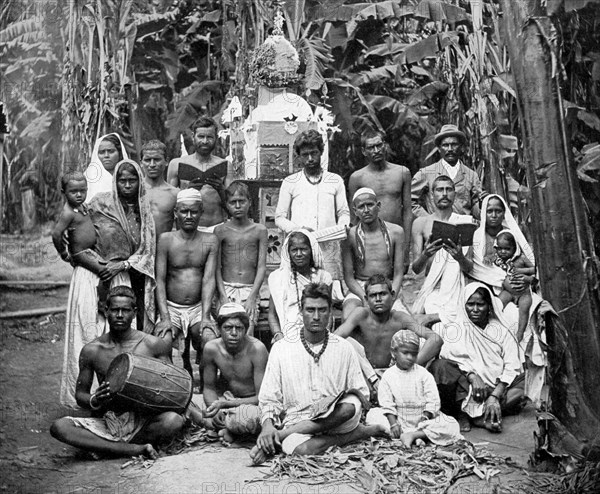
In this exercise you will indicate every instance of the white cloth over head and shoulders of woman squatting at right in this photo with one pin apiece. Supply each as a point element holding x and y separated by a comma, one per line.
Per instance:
<point>492,352</point>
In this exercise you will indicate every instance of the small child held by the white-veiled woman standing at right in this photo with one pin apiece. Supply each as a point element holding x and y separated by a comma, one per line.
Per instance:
<point>510,258</point>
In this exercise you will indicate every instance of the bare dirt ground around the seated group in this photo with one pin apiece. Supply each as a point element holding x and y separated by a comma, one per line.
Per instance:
<point>31,461</point>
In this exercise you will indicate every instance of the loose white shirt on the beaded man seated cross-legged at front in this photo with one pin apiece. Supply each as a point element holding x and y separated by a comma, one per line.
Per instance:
<point>293,382</point>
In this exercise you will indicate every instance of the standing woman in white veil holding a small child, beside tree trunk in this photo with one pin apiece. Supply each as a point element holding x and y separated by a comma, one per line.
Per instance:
<point>496,216</point>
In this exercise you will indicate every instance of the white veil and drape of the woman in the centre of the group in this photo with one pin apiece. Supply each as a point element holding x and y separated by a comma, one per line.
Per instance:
<point>285,285</point>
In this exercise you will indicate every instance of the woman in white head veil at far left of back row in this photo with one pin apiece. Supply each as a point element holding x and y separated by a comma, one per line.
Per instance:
<point>108,151</point>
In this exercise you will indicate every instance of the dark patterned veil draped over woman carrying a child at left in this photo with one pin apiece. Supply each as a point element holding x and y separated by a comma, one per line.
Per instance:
<point>118,241</point>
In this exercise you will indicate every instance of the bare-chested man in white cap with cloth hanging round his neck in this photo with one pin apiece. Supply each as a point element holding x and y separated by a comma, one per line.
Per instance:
<point>373,246</point>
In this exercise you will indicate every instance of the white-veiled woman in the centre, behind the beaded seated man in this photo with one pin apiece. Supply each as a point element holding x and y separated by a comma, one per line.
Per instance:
<point>301,264</point>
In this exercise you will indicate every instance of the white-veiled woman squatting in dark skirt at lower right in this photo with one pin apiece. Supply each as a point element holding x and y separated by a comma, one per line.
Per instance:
<point>479,371</point>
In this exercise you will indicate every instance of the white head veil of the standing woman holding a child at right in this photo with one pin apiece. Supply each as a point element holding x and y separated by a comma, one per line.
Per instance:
<point>492,274</point>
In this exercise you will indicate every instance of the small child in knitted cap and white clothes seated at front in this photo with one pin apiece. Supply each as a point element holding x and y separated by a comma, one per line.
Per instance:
<point>409,400</point>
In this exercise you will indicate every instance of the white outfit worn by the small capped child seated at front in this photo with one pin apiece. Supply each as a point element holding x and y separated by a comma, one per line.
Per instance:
<point>406,394</point>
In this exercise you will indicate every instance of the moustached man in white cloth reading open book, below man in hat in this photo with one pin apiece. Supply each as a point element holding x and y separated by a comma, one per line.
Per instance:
<point>444,262</point>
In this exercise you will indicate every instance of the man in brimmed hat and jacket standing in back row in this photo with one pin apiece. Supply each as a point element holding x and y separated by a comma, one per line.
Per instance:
<point>468,192</point>
